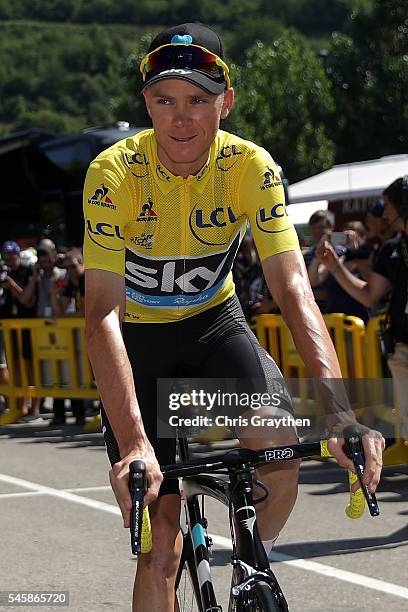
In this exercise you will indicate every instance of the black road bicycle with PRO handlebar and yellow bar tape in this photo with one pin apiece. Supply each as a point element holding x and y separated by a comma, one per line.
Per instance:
<point>229,479</point>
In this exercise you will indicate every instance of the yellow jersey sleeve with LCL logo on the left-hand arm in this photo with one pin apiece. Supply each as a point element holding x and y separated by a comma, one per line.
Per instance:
<point>107,207</point>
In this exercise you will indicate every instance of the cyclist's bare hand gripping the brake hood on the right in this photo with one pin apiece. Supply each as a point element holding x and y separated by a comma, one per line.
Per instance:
<point>373,444</point>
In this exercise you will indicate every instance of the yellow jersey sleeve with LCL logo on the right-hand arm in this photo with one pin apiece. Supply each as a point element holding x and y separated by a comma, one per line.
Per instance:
<point>262,199</point>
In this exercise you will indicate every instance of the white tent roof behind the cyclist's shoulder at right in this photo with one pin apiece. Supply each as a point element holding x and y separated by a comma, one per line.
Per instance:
<point>347,181</point>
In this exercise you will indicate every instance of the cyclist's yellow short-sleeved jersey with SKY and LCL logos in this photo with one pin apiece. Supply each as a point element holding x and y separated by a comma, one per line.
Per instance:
<point>175,239</point>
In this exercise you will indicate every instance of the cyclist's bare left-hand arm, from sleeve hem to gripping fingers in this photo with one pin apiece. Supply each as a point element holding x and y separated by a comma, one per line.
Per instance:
<point>104,307</point>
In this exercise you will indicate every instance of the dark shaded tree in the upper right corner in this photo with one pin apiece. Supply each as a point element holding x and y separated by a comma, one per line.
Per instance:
<point>368,67</point>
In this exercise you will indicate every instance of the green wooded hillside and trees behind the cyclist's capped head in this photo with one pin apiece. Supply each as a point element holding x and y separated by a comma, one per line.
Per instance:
<point>71,64</point>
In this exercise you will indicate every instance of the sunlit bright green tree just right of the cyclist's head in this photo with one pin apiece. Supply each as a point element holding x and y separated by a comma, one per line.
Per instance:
<point>283,102</point>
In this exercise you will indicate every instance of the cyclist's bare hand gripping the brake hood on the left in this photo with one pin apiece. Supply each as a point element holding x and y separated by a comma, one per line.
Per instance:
<point>119,479</point>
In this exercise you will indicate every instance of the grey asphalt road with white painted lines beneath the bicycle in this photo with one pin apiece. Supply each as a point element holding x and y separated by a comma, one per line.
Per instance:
<point>54,537</point>
